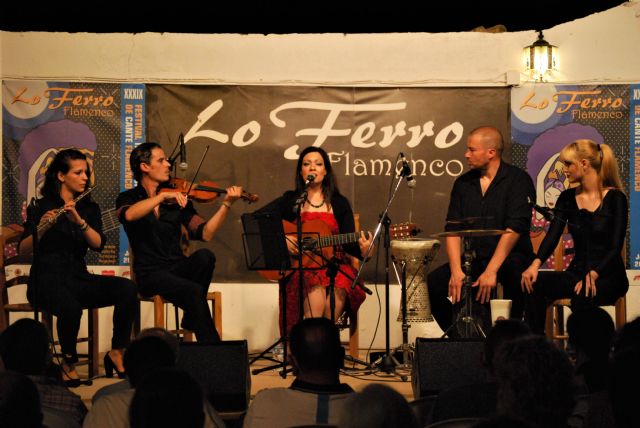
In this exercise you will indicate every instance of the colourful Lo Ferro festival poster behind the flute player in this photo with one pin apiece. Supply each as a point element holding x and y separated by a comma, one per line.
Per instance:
<point>40,118</point>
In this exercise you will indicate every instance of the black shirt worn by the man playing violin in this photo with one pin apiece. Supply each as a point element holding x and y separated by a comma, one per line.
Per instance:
<point>156,241</point>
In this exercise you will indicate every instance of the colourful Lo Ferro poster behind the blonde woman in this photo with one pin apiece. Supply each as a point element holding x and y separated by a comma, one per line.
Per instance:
<point>545,118</point>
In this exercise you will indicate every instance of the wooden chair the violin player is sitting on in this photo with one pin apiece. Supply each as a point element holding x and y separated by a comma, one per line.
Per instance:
<point>159,303</point>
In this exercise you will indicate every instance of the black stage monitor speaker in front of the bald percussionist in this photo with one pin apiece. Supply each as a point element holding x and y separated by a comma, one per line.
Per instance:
<point>446,363</point>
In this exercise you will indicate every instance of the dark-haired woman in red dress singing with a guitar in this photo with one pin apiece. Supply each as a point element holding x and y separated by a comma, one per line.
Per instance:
<point>324,202</point>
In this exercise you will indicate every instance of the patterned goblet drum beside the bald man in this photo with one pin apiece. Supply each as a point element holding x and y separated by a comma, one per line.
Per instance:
<point>412,258</point>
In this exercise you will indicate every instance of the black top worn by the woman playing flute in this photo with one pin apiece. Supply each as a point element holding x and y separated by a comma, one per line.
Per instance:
<point>62,249</point>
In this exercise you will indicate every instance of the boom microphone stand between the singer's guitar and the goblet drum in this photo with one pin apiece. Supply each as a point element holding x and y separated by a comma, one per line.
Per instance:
<point>387,362</point>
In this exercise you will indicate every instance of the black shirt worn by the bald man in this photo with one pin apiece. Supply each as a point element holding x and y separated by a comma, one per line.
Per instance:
<point>505,204</point>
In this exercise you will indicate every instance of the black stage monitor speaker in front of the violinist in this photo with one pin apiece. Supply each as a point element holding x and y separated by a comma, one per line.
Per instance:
<point>222,369</point>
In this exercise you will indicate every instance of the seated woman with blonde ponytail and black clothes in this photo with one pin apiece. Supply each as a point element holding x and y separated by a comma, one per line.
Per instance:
<point>596,213</point>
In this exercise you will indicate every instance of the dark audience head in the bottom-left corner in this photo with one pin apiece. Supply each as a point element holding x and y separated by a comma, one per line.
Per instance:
<point>19,401</point>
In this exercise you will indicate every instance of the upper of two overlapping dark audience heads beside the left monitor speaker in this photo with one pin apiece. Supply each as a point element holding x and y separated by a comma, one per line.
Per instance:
<point>145,356</point>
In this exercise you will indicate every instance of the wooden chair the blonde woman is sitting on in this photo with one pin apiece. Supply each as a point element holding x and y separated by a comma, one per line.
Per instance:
<point>554,318</point>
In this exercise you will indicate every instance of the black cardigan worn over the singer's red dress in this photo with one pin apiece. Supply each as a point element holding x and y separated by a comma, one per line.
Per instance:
<point>284,207</point>
